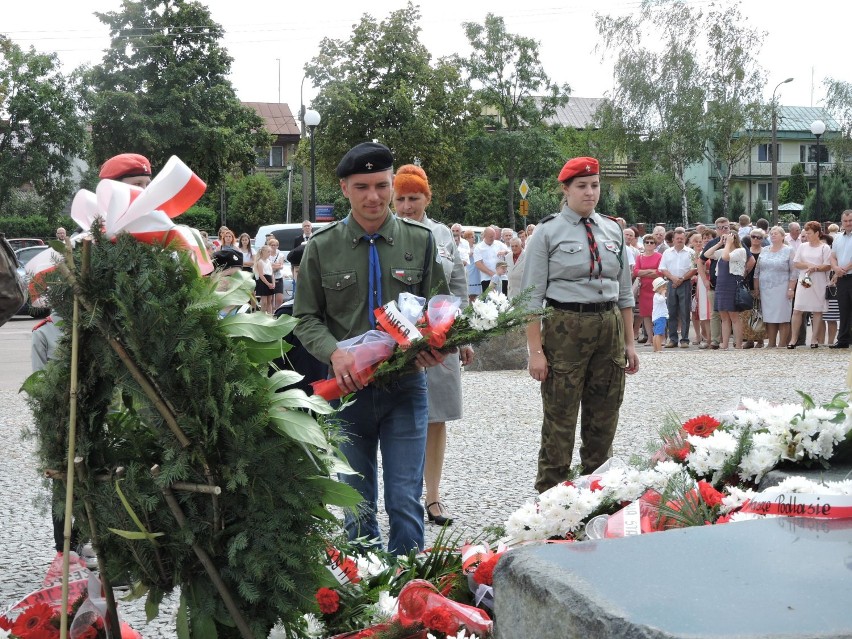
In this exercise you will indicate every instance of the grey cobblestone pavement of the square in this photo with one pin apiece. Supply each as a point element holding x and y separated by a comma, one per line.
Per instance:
<point>491,454</point>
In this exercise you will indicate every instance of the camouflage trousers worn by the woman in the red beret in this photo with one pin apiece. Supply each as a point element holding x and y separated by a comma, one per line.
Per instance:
<point>585,352</point>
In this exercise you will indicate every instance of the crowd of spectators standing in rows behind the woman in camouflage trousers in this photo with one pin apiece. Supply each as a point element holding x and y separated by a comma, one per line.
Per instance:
<point>794,277</point>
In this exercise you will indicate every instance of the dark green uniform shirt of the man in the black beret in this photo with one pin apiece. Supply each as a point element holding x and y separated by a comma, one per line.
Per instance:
<point>332,298</point>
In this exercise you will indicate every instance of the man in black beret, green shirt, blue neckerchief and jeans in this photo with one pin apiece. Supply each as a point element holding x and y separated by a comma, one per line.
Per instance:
<point>350,268</point>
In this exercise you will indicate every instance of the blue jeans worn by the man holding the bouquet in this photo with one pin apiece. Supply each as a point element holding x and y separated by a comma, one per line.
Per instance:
<point>395,418</point>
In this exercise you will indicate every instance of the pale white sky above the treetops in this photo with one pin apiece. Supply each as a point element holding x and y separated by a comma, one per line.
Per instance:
<point>270,41</point>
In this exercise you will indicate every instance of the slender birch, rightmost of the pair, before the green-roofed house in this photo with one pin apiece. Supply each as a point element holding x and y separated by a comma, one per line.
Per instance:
<point>734,82</point>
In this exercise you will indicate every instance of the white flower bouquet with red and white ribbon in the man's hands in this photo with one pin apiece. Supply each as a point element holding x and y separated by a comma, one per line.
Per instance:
<point>381,355</point>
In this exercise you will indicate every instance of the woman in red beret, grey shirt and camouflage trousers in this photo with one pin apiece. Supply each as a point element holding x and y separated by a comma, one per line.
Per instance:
<point>576,265</point>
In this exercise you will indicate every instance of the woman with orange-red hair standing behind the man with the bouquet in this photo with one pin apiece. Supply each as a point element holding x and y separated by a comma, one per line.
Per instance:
<point>411,196</point>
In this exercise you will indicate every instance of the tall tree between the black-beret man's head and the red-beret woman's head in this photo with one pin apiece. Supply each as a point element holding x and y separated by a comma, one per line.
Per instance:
<point>509,75</point>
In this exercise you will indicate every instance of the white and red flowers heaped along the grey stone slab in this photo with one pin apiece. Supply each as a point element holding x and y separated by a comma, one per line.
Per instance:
<point>703,471</point>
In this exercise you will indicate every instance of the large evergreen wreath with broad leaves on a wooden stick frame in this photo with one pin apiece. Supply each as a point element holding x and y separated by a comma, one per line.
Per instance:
<point>266,533</point>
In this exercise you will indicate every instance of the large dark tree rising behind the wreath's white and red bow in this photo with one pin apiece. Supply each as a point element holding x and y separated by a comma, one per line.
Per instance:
<point>162,90</point>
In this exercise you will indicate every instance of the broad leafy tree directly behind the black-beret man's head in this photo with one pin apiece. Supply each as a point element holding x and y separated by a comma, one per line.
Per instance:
<point>381,84</point>
